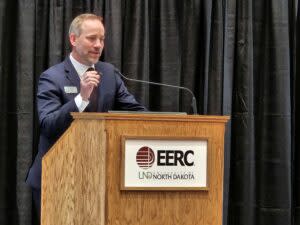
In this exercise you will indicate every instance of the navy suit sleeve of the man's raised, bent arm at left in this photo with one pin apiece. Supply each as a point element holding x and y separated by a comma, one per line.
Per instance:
<point>53,110</point>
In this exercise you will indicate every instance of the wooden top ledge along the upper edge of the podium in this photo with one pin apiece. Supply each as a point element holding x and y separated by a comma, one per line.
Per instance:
<point>149,116</point>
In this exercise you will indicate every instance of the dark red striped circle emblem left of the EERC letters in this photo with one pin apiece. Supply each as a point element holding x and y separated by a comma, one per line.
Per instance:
<point>145,157</point>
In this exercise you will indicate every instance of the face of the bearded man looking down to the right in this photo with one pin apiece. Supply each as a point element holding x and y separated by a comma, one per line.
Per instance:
<point>88,46</point>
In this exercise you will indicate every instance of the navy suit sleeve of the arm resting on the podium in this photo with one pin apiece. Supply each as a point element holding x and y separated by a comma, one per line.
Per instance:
<point>124,99</point>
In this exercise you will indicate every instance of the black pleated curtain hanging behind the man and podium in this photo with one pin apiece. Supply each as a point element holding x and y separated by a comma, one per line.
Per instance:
<point>240,58</point>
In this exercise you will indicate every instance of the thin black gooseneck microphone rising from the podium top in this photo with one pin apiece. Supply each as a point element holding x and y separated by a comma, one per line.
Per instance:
<point>194,102</point>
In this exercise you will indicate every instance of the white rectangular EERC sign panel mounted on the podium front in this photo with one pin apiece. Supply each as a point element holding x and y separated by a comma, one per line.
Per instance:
<point>165,164</point>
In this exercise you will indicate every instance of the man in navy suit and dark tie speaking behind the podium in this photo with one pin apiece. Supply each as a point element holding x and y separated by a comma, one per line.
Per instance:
<point>80,83</point>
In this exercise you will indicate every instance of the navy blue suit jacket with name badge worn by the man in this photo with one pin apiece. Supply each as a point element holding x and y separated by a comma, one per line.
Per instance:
<point>55,102</point>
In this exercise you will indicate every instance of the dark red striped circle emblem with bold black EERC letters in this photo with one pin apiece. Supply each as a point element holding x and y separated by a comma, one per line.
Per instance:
<point>145,157</point>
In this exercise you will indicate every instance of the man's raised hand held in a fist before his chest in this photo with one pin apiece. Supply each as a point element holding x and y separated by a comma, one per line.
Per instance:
<point>90,81</point>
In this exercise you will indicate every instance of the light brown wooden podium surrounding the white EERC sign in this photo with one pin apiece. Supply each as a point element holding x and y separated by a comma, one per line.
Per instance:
<point>81,178</point>
